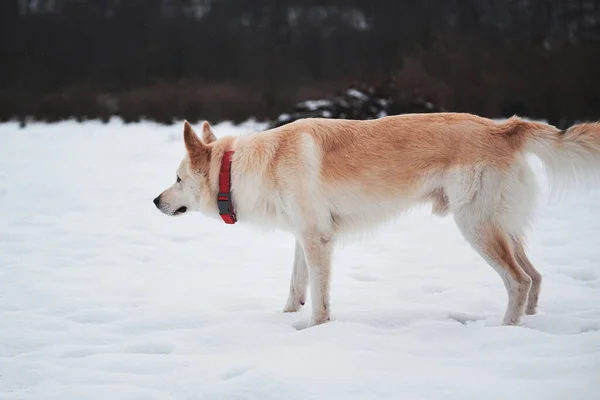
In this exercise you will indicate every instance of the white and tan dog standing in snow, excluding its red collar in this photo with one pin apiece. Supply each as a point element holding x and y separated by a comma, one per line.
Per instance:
<point>322,179</point>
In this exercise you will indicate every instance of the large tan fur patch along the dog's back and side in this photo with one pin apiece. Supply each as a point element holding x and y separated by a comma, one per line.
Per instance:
<point>414,144</point>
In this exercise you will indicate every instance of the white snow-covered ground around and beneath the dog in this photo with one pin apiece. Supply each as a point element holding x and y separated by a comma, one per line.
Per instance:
<point>103,297</point>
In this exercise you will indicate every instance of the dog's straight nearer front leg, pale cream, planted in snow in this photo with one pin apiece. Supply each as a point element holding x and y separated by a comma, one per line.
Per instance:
<point>318,248</point>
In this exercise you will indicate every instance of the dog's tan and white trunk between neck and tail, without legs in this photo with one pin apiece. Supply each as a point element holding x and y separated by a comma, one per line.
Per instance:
<point>363,172</point>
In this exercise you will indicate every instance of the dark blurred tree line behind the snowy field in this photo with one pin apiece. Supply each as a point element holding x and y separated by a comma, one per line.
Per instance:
<point>165,60</point>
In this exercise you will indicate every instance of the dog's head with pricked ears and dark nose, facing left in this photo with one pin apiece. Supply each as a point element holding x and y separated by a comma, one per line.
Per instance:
<point>192,187</point>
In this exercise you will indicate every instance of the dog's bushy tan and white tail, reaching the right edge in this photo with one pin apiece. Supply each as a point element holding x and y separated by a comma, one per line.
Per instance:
<point>571,156</point>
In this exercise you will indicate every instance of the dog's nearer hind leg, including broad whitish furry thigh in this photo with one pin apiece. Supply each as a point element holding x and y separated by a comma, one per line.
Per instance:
<point>491,206</point>
